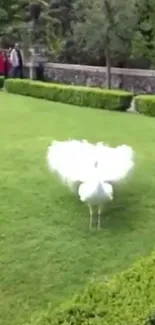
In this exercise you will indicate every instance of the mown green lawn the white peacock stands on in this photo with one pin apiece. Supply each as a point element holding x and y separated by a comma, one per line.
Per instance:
<point>46,249</point>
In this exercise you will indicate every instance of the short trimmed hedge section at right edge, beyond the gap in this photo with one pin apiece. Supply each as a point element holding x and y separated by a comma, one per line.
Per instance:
<point>145,104</point>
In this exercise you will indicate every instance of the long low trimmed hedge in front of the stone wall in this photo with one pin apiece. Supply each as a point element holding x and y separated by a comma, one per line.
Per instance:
<point>82,96</point>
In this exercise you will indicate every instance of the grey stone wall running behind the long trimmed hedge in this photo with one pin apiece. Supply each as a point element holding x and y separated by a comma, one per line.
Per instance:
<point>137,81</point>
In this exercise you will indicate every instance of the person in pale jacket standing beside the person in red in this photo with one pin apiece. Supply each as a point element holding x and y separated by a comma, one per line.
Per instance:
<point>16,62</point>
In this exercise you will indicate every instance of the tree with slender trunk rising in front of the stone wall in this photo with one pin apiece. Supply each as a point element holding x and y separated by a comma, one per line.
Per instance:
<point>105,25</point>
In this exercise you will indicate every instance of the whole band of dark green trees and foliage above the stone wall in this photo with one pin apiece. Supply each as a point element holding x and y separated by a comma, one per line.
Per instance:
<point>76,31</point>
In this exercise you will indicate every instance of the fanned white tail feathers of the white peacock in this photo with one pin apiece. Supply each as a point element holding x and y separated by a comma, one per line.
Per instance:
<point>74,162</point>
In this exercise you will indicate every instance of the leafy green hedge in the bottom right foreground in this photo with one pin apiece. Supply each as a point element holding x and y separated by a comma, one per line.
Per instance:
<point>126,299</point>
